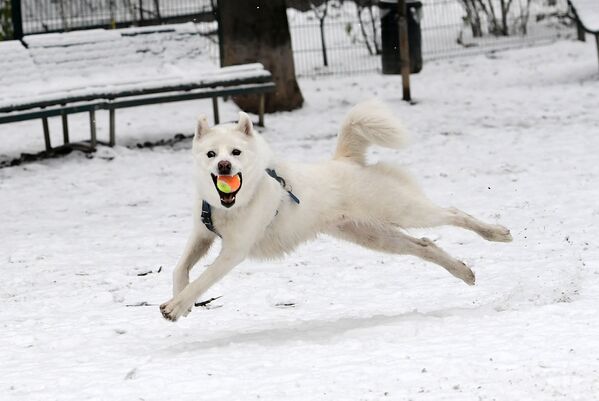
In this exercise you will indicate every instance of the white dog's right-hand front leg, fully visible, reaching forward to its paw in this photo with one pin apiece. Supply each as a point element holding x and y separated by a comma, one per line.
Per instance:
<point>226,260</point>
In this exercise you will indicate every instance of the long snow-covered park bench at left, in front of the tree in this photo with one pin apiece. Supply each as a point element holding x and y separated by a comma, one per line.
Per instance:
<point>55,75</point>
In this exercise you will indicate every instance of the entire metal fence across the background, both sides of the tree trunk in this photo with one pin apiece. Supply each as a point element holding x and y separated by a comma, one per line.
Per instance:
<point>349,29</point>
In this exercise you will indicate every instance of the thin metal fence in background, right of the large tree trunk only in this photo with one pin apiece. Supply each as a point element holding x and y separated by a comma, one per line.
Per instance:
<point>352,33</point>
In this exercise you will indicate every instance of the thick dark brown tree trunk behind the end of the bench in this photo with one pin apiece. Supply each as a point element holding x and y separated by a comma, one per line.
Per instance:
<point>258,31</point>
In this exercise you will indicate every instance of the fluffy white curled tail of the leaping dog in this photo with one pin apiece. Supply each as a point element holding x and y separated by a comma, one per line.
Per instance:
<point>367,123</point>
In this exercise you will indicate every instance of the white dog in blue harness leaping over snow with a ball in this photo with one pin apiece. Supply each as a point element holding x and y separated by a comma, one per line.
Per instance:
<point>274,205</point>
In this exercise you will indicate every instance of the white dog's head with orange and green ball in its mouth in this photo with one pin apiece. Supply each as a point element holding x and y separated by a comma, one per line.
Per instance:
<point>229,160</point>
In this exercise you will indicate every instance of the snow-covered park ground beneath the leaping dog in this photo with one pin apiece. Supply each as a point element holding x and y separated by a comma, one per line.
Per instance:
<point>509,137</point>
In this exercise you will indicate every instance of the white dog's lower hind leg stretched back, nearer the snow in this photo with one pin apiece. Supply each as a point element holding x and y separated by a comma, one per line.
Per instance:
<point>390,240</point>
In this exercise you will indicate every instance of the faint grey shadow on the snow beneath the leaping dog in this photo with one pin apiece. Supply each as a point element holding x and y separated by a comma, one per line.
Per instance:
<point>318,331</point>
